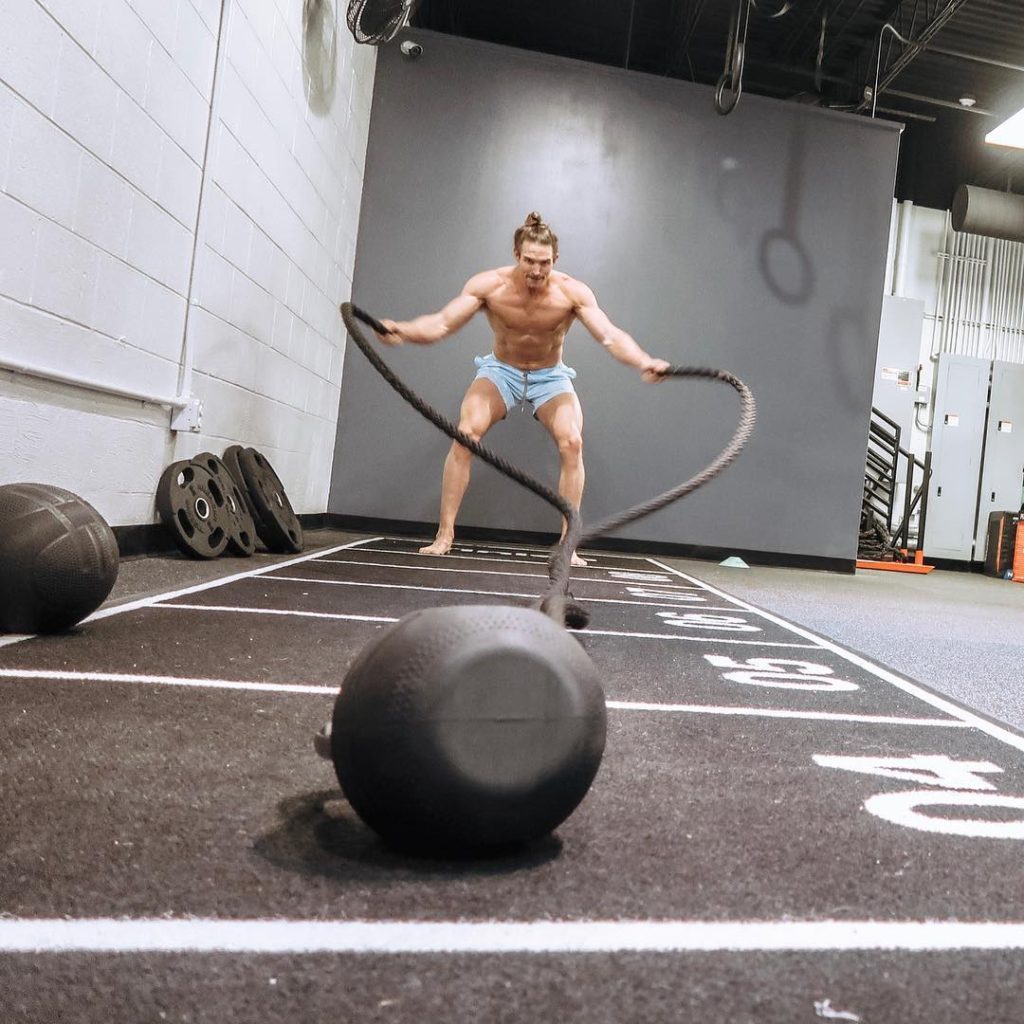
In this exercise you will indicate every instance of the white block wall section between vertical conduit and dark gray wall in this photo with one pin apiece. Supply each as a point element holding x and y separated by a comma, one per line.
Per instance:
<point>276,189</point>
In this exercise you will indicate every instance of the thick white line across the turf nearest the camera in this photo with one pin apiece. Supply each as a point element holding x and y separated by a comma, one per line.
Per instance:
<point>199,935</point>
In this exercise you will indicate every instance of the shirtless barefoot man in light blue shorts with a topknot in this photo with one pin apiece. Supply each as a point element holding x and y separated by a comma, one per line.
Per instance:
<point>530,307</point>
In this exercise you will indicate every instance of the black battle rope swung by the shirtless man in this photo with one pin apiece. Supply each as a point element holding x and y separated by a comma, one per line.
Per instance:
<point>556,603</point>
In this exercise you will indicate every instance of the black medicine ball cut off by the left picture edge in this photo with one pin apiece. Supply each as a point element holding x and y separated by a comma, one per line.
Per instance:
<point>59,559</point>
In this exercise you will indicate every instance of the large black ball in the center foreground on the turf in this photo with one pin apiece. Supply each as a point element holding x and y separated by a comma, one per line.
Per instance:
<point>468,729</point>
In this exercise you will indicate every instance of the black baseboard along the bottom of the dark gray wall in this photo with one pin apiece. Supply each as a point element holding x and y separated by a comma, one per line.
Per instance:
<point>405,528</point>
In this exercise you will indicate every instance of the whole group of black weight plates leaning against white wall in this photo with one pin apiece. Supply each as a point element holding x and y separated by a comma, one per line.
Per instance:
<point>212,506</point>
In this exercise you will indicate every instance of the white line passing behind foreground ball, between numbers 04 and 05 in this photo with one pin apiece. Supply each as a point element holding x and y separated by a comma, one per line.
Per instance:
<point>69,676</point>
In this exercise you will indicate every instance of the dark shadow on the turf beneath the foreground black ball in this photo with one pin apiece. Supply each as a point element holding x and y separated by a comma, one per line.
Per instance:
<point>339,845</point>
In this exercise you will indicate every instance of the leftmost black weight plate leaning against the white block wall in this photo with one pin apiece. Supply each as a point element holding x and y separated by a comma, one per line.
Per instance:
<point>191,503</point>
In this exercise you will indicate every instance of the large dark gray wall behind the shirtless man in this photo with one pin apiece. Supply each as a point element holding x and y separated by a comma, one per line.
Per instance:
<point>754,242</point>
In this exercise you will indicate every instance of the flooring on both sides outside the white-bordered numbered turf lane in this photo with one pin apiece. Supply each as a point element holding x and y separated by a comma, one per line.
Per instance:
<point>960,633</point>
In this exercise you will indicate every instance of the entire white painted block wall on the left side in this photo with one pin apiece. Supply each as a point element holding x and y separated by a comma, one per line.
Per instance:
<point>105,107</point>
